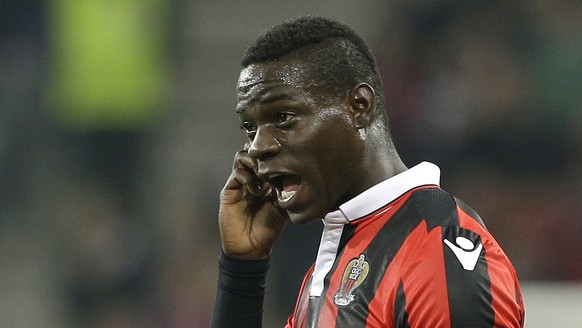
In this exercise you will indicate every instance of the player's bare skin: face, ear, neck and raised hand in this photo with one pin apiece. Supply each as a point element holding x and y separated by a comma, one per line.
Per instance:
<point>308,152</point>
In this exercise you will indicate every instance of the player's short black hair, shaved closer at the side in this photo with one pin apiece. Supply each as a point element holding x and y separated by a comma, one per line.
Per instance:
<point>336,57</point>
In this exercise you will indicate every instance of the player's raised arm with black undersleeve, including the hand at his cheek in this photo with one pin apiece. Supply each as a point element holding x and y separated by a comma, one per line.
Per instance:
<point>250,222</point>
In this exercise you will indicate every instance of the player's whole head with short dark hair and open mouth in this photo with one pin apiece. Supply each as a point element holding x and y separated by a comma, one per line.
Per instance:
<point>310,101</point>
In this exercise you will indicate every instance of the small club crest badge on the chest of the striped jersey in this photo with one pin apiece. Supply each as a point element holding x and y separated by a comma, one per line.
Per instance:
<point>354,274</point>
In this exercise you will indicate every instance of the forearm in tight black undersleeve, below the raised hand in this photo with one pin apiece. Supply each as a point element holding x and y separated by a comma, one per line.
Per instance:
<point>240,293</point>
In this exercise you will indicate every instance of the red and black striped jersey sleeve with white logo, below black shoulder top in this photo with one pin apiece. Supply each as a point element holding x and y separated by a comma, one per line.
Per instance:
<point>458,276</point>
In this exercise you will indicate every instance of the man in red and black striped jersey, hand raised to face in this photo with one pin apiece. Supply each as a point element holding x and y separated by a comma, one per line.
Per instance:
<point>396,250</point>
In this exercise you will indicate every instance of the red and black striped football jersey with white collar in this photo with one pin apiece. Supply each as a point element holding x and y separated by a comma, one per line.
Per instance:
<point>405,253</point>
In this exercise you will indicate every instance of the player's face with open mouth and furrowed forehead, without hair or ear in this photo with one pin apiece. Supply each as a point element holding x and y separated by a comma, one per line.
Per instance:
<point>305,142</point>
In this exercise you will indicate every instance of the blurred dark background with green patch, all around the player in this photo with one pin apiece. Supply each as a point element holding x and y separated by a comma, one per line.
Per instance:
<point>117,132</point>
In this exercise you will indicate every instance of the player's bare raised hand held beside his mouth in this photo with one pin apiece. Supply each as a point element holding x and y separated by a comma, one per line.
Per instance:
<point>249,218</point>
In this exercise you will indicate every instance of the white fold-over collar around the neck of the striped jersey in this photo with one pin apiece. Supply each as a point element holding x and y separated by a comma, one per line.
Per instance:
<point>385,192</point>
